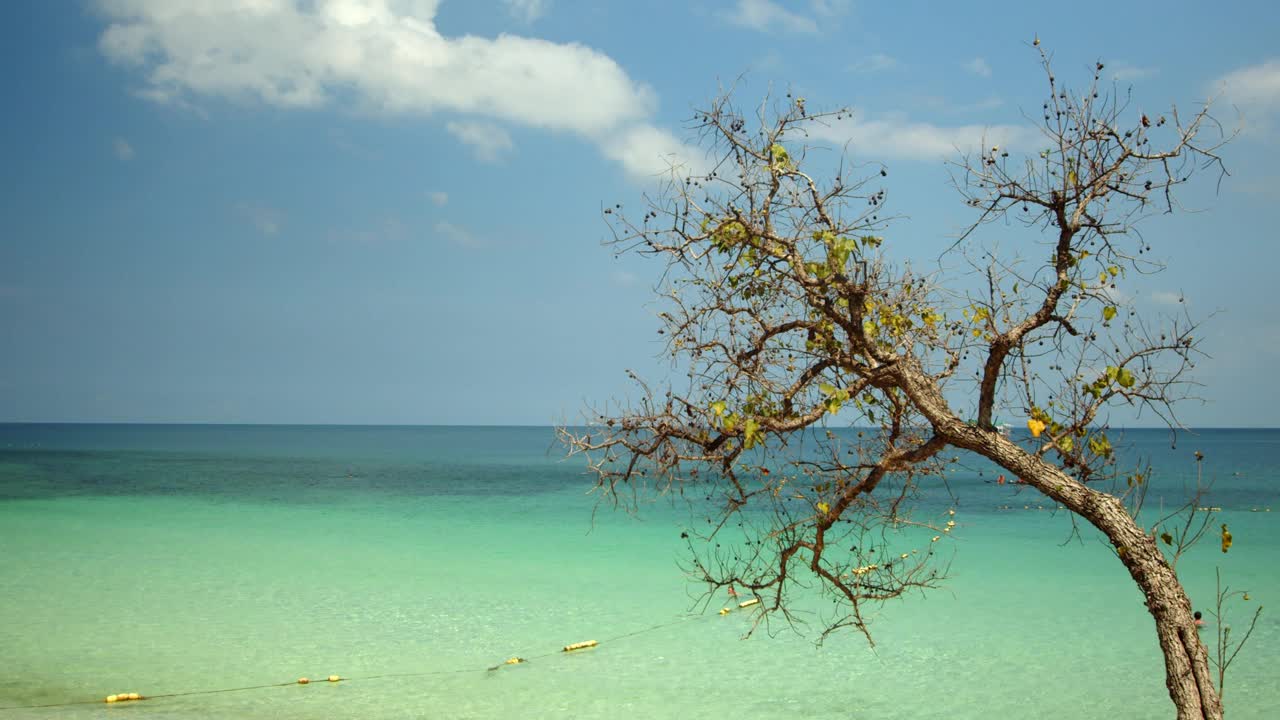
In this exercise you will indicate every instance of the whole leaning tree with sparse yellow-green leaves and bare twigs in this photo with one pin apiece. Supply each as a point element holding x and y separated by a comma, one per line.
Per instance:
<point>788,316</point>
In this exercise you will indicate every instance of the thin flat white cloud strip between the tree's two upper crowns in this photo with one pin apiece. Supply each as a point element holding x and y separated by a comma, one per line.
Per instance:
<point>899,138</point>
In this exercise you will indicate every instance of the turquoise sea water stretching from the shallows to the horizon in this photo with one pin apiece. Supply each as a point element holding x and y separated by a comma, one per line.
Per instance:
<point>171,559</point>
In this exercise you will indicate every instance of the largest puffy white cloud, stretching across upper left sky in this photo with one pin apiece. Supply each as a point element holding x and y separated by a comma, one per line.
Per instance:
<point>381,56</point>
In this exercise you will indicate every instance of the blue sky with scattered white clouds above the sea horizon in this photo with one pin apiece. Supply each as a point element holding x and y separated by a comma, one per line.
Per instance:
<point>388,211</point>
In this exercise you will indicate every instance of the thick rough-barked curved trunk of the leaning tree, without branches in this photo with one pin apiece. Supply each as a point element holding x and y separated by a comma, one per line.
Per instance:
<point>1187,672</point>
